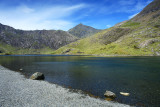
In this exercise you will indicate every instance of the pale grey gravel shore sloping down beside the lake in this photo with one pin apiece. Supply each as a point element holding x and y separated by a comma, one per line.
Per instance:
<point>17,91</point>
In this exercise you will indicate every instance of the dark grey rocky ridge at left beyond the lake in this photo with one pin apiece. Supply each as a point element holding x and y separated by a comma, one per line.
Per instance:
<point>37,39</point>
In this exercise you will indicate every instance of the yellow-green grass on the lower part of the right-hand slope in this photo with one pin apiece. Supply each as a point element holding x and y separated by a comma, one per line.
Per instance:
<point>128,44</point>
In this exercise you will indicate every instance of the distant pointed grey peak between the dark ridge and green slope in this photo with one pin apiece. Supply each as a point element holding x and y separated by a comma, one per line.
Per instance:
<point>82,31</point>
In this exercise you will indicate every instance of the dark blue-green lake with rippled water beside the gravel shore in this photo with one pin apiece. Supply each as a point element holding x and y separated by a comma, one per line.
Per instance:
<point>139,76</point>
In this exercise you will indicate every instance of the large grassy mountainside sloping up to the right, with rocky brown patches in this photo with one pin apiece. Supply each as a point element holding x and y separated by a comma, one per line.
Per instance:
<point>138,36</point>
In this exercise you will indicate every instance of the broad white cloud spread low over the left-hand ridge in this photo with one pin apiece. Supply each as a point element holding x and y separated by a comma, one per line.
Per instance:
<point>26,18</point>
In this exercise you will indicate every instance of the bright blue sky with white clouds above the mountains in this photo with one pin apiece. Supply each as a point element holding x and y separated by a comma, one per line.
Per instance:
<point>65,14</point>
